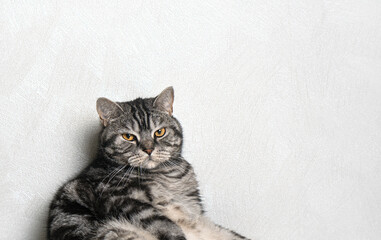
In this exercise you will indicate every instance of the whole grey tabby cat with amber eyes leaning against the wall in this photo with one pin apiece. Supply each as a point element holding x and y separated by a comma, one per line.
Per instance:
<point>139,187</point>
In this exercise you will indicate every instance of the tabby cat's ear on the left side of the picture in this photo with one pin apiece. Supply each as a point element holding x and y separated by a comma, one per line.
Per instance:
<point>107,110</point>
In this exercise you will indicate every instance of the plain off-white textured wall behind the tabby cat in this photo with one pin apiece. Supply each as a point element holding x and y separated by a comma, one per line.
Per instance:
<point>279,101</point>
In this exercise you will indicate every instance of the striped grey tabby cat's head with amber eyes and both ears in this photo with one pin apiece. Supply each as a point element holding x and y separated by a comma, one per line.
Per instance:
<point>141,133</point>
